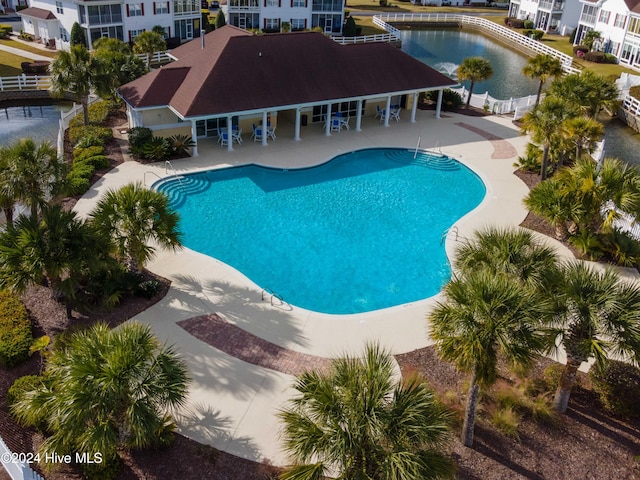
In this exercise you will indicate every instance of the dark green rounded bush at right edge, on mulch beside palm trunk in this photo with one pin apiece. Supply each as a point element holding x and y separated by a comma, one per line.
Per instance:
<point>618,385</point>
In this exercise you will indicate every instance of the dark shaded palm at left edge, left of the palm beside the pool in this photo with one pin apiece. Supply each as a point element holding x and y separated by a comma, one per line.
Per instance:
<point>58,248</point>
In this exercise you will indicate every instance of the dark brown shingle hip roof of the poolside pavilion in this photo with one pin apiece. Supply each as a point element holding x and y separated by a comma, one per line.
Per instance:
<point>237,71</point>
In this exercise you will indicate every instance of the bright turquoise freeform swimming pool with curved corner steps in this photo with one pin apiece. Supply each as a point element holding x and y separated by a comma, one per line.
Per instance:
<point>361,232</point>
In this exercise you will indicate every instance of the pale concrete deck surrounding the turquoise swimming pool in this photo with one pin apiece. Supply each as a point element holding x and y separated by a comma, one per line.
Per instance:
<point>237,389</point>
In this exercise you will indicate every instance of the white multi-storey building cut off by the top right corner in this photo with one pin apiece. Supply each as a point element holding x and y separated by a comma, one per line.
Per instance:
<point>618,22</point>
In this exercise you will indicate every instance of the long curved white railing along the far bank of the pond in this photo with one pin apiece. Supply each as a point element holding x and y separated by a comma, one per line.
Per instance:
<point>483,24</point>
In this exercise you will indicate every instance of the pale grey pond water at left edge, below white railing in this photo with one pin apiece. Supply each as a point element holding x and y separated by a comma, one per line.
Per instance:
<point>37,121</point>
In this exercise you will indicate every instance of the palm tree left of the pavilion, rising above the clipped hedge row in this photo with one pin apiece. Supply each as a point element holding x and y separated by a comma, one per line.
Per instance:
<point>75,71</point>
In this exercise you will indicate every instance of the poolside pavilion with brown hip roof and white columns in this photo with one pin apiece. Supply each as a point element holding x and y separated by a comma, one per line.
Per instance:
<point>234,78</point>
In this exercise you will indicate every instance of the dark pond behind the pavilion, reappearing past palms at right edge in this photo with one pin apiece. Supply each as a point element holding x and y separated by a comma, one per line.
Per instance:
<point>444,50</point>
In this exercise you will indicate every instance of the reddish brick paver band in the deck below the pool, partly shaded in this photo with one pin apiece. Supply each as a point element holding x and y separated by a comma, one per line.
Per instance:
<point>217,332</point>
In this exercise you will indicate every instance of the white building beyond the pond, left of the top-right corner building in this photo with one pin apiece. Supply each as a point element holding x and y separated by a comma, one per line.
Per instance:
<point>555,16</point>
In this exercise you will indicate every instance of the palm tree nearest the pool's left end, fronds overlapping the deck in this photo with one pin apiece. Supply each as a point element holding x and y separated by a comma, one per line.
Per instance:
<point>132,217</point>
